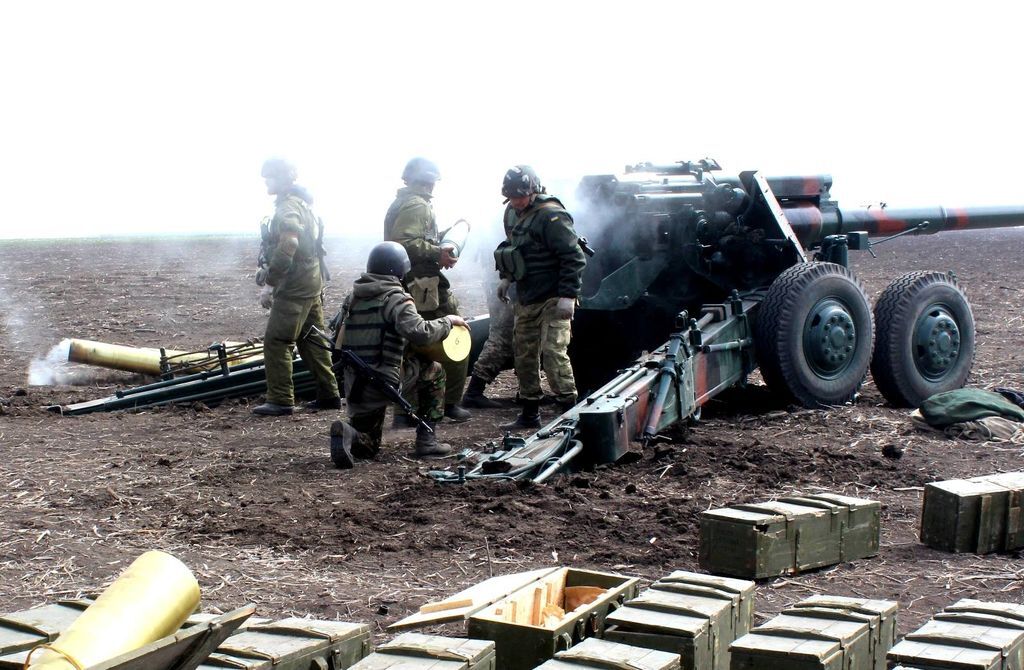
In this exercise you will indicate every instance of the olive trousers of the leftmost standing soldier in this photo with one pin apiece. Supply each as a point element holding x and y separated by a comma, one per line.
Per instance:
<point>288,326</point>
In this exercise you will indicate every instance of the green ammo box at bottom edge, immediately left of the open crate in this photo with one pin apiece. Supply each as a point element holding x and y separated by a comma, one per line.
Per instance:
<point>416,652</point>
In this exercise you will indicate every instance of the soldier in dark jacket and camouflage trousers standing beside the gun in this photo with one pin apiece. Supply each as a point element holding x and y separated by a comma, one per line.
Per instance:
<point>543,258</point>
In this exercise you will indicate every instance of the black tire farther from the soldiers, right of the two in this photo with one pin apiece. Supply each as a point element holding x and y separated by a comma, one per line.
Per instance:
<point>925,339</point>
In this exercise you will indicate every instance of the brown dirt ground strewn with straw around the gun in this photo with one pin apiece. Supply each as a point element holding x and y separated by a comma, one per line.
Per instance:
<point>254,507</point>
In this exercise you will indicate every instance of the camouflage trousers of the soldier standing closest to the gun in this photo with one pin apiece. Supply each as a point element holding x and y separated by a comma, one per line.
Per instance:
<point>541,340</point>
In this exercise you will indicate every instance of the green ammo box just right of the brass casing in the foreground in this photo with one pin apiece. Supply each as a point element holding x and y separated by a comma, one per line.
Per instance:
<point>293,645</point>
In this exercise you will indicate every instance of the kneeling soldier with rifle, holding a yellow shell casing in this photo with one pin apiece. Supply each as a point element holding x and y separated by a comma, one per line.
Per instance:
<point>378,318</point>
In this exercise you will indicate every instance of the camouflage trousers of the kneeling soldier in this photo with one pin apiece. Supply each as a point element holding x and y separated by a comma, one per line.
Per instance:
<point>422,383</point>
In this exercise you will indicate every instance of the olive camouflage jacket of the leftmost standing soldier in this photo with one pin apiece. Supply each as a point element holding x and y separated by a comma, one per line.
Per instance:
<point>297,276</point>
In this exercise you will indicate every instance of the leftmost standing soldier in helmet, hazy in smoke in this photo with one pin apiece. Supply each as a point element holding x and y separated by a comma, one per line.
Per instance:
<point>292,284</point>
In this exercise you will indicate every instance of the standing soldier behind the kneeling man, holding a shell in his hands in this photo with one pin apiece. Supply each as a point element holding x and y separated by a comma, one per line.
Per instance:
<point>410,222</point>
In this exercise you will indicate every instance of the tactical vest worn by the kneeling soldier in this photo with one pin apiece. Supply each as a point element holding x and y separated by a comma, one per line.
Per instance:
<point>372,338</point>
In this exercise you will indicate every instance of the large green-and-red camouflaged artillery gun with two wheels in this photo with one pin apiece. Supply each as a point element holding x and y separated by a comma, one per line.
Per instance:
<point>717,275</point>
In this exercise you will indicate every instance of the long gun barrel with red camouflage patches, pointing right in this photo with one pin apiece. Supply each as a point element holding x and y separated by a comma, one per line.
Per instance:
<point>813,225</point>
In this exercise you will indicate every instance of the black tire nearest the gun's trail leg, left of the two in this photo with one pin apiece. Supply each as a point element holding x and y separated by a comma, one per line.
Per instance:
<point>814,334</point>
